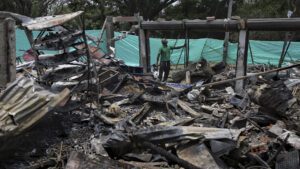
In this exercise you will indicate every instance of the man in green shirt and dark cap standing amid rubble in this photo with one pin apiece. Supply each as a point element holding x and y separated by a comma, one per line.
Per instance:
<point>164,54</point>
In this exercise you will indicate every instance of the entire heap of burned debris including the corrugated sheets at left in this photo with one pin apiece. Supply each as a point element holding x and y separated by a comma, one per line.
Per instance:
<point>124,120</point>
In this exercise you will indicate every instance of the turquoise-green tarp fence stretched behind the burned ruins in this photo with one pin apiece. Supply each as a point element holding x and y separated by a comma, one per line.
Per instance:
<point>264,52</point>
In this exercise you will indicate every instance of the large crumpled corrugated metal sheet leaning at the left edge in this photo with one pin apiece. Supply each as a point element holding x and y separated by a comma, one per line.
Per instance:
<point>23,104</point>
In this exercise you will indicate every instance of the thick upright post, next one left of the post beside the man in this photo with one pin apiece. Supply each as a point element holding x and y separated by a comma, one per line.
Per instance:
<point>109,33</point>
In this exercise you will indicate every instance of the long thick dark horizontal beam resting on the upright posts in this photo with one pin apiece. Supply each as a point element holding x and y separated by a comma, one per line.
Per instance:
<point>219,25</point>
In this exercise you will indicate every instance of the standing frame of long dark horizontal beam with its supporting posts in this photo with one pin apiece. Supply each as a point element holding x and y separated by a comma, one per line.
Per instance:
<point>218,25</point>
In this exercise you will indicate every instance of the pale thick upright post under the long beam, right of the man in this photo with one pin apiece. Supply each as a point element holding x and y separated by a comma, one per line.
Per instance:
<point>241,62</point>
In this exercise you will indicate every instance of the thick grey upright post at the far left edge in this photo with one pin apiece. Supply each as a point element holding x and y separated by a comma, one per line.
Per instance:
<point>7,51</point>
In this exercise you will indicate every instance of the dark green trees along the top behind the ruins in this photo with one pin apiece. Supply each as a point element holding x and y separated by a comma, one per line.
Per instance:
<point>97,10</point>
